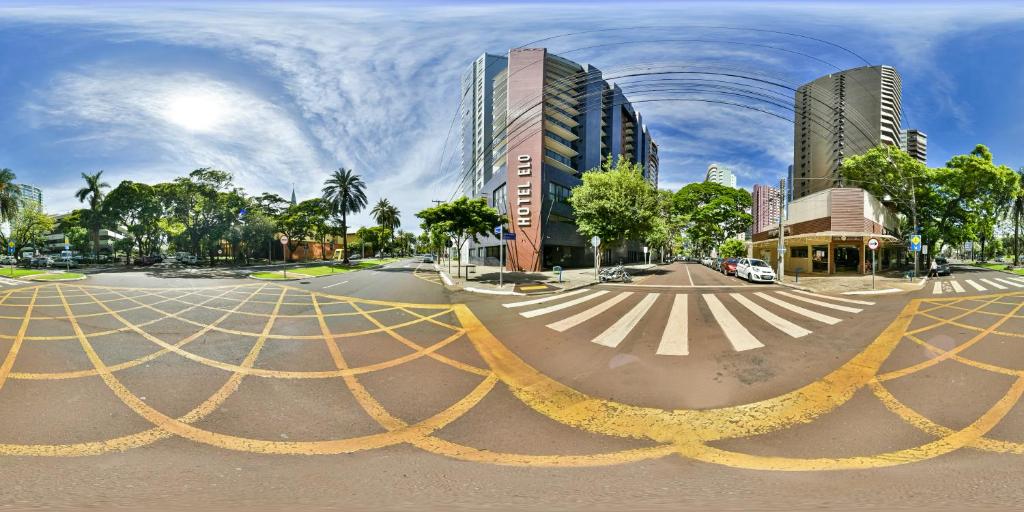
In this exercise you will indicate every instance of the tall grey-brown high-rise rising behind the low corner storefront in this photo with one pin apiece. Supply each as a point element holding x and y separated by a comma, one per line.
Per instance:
<point>842,115</point>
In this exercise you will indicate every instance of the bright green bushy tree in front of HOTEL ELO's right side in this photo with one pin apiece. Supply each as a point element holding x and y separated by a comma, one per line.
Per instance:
<point>616,203</point>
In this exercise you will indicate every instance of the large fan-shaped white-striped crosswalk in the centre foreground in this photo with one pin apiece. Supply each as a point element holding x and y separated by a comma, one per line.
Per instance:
<point>743,322</point>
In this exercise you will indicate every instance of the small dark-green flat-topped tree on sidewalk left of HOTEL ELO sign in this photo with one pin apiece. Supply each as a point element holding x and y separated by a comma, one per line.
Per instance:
<point>462,221</point>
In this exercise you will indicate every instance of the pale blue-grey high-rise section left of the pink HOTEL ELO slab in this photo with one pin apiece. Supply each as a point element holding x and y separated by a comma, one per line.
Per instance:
<point>478,121</point>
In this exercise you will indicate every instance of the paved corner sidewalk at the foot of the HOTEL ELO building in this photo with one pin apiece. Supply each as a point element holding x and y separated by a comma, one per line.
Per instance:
<point>482,279</point>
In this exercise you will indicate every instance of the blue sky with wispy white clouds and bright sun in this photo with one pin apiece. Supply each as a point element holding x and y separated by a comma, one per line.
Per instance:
<point>283,95</point>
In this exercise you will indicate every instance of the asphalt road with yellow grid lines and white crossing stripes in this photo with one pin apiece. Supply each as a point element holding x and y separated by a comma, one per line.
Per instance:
<point>382,390</point>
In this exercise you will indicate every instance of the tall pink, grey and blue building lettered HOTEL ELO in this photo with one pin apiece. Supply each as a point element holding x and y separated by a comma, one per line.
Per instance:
<point>532,124</point>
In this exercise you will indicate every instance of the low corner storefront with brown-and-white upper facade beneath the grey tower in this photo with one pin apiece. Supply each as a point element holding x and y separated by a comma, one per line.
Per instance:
<point>828,233</point>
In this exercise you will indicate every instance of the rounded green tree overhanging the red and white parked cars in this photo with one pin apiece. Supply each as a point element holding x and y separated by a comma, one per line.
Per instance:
<point>713,214</point>
